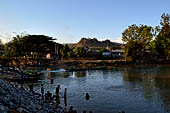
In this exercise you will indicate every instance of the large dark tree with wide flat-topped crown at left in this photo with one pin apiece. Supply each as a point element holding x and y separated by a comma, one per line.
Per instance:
<point>28,45</point>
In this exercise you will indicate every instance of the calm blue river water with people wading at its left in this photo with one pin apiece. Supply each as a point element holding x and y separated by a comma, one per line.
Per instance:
<point>142,89</point>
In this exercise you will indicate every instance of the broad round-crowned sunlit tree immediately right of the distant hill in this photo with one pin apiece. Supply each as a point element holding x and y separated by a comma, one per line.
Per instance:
<point>137,39</point>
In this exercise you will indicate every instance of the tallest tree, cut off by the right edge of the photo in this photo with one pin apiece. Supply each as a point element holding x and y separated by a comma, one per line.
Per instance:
<point>163,38</point>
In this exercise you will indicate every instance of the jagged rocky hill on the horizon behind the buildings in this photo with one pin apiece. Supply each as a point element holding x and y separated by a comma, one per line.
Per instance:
<point>84,42</point>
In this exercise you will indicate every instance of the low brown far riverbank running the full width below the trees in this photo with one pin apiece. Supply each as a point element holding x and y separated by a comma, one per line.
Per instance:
<point>82,63</point>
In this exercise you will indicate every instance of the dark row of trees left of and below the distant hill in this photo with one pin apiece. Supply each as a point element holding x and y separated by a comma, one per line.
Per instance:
<point>38,46</point>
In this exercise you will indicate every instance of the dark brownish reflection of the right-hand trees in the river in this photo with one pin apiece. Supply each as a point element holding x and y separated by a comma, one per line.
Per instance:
<point>154,81</point>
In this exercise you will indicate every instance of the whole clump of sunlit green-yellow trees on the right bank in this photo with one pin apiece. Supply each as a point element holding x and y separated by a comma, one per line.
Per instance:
<point>146,42</point>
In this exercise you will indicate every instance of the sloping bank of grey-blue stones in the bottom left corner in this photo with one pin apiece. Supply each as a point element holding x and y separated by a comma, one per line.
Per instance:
<point>18,100</point>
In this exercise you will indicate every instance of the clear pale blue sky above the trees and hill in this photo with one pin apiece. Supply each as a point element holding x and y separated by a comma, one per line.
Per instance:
<point>70,20</point>
